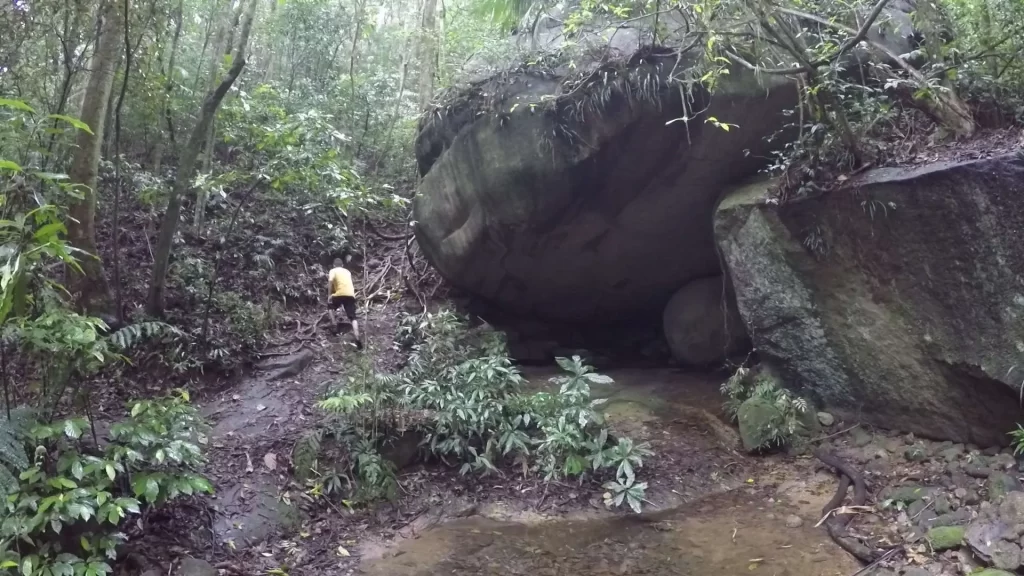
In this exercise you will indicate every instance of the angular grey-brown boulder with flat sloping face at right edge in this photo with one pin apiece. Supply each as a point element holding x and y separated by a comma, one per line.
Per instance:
<point>898,300</point>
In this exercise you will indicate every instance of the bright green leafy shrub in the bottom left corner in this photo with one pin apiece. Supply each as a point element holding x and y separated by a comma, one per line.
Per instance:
<point>65,514</point>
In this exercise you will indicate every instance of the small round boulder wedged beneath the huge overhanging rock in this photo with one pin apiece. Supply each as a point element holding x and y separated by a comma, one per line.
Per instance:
<point>702,323</point>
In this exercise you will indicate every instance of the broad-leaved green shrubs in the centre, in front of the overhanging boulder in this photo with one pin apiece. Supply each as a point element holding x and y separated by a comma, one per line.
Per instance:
<point>462,395</point>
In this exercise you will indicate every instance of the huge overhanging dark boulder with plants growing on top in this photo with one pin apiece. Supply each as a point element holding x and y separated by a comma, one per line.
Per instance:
<point>570,199</point>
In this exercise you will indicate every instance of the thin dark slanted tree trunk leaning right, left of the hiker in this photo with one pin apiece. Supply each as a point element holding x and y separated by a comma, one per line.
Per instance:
<point>187,169</point>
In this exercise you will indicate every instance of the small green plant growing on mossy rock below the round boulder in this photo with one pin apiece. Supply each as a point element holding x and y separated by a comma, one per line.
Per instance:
<point>746,384</point>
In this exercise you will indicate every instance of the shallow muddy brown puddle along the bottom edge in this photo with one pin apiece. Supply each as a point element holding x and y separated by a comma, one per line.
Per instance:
<point>728,534</point>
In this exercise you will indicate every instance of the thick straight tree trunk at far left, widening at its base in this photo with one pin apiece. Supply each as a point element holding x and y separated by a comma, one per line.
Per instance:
<point>90,285</point>
